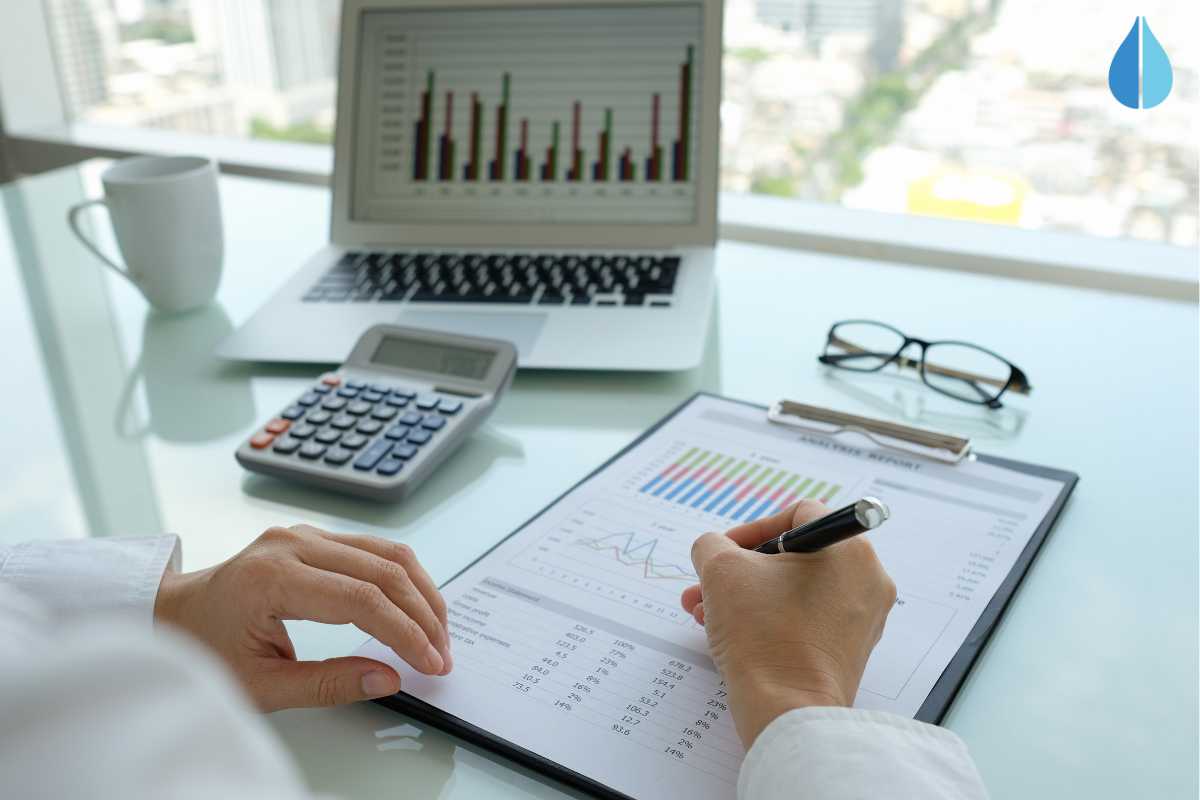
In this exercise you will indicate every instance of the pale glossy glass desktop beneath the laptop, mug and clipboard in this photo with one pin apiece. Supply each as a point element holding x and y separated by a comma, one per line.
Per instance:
<point>118,423</point>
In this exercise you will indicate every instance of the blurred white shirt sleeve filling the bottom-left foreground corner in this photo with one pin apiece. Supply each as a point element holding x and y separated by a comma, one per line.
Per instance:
<point>115,711</point>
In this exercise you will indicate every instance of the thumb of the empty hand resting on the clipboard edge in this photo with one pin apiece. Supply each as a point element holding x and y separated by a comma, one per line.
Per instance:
<point>334,682</point>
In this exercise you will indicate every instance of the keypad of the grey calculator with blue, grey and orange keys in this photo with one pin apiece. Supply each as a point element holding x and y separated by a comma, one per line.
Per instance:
<point>376,429</point>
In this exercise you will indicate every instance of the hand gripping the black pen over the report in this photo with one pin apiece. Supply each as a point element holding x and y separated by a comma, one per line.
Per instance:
<point>791,630</point>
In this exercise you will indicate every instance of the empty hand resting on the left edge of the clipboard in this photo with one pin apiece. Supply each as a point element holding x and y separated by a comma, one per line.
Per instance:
<point>303,573</point>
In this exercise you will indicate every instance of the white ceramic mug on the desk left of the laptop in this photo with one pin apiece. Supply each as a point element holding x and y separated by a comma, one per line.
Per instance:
<point>166,214</point>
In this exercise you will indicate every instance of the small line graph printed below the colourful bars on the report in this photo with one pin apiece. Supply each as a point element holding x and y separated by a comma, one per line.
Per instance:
<point>619,554</point>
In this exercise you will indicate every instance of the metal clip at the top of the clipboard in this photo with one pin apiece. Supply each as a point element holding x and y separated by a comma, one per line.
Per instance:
<point>892,436</point>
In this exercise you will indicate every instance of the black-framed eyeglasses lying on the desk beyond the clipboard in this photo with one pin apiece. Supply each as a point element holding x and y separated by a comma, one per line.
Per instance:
<point>959,370</point>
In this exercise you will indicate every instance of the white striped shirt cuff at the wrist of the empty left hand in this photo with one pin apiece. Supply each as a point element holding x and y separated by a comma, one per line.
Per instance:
<point>89,576</point>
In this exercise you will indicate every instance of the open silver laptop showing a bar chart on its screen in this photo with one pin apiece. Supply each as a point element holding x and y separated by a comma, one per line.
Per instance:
<point>539,172</point>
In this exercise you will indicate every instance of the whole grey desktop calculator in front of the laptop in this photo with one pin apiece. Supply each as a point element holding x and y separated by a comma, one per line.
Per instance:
<point>379,426</point>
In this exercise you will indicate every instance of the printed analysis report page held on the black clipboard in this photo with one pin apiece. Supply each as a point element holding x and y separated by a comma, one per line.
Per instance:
<point>569,640</point>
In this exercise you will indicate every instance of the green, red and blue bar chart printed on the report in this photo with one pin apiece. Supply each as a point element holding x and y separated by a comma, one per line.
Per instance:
<point>739,489</point>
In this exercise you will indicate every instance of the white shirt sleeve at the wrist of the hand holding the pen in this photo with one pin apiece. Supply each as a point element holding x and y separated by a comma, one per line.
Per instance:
<point>831,754</point>
